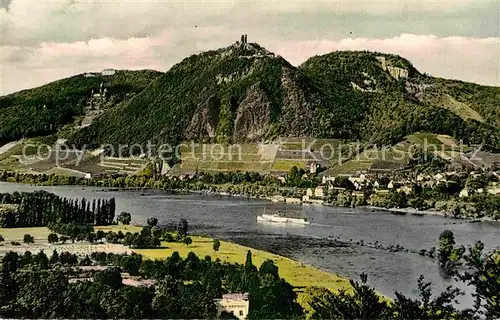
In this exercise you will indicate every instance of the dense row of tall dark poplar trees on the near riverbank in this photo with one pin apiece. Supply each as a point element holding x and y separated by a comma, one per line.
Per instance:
<point>37,209</point>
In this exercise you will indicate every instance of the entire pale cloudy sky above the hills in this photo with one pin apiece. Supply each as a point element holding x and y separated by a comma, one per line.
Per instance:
<point>43,40</point>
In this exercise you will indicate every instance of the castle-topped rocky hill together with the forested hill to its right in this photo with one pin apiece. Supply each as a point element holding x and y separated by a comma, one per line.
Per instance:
<point>246,93</point>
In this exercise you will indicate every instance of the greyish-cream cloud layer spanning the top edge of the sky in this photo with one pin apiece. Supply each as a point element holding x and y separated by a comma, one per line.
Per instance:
<point>33,22</point>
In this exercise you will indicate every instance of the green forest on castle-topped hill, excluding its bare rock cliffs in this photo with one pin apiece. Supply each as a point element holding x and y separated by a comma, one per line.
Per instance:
<point>163,112</point>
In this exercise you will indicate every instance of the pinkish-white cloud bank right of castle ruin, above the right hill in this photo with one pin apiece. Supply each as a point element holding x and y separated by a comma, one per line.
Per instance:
<point>463,58</point>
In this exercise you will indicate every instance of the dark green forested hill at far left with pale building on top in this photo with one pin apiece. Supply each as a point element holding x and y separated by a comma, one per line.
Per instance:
<point>44,110</point>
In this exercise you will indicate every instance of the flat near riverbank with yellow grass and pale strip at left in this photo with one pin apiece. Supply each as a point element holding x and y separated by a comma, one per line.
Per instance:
<point>296,273</point>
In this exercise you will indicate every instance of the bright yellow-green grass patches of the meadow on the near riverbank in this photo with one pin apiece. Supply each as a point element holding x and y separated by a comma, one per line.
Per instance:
<point>294,272</point>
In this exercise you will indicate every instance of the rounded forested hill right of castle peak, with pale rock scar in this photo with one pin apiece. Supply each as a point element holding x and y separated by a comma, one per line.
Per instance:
<point>384,98</point>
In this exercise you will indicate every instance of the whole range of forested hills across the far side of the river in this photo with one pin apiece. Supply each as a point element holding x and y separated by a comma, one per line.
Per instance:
<point>244,93</point>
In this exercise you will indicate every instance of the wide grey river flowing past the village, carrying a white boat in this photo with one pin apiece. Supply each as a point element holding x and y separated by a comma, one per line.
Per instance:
<point>235,219</point>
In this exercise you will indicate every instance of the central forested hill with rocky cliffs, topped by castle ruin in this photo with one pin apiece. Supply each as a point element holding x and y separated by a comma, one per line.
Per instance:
<point>241,92</point>
